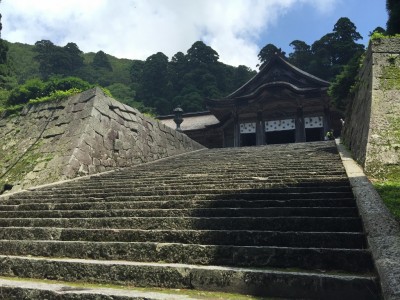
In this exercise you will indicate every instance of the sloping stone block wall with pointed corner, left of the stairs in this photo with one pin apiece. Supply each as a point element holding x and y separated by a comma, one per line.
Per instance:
<point>82,135</point>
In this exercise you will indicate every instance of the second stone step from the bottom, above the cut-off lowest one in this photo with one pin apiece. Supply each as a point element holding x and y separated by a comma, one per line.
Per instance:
<point>259,282</point>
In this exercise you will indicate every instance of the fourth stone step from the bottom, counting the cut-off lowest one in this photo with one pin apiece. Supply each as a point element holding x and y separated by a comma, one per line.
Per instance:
<point>345,240</point>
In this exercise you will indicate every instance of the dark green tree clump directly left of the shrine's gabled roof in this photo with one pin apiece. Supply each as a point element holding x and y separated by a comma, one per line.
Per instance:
<point>185,80</point>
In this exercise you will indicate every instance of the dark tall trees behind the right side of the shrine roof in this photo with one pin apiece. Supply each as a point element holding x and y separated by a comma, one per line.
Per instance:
<point>333,57</point>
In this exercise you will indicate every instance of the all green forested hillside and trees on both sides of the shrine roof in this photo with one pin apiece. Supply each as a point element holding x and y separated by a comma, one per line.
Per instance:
<point>160,83</point>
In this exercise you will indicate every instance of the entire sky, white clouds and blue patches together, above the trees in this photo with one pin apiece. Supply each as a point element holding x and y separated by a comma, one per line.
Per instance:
<point>136,29</point>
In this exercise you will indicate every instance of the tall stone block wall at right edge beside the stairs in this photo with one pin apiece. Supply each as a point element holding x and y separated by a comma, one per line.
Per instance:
<point>372,123</point>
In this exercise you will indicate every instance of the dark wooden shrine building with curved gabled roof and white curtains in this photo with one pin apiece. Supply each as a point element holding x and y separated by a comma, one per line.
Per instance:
<point>280,104</point>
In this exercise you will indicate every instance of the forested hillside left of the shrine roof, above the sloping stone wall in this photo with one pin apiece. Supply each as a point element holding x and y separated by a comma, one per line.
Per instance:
<point>156,85</point>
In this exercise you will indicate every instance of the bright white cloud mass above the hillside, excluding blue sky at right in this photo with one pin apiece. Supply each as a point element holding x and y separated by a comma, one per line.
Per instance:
<point>140,28</point>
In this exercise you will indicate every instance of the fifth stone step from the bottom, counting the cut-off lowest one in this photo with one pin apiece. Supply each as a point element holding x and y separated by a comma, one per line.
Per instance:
<point>314,224</point>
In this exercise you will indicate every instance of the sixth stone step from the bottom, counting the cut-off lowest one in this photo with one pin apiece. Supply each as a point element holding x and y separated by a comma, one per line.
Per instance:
<point>226,212</point>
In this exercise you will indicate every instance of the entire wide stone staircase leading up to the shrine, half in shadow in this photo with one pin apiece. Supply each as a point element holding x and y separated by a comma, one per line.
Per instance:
<point>272,221</point>
